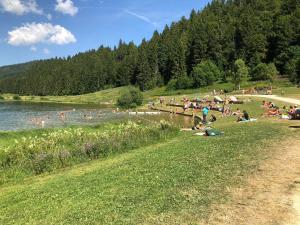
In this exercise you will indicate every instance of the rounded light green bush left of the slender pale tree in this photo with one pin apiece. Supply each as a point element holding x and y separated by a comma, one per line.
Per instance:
<point>205,73</point>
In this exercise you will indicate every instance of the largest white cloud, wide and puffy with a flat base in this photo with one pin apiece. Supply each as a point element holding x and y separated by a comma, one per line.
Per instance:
<point>33,33</point>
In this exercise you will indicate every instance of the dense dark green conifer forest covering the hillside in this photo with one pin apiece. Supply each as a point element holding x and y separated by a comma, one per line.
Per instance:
<point>227,40</point>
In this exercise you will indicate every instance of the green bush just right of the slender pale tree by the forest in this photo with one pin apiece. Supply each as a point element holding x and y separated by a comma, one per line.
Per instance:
<point>264,72</point>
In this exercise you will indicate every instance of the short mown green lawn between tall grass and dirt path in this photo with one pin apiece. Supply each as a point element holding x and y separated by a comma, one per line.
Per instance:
<point>174,182</point>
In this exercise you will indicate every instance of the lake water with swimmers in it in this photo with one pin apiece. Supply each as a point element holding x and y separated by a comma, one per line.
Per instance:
<point>22,116</point>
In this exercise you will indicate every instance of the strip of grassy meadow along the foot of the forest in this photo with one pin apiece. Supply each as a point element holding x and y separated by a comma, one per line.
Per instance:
<point>109,96</point>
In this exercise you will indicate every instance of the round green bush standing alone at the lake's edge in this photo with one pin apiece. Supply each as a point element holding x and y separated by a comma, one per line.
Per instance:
<point>130,99</point>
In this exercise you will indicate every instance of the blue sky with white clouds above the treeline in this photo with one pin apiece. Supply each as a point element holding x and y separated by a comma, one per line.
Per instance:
<point>39,29</point>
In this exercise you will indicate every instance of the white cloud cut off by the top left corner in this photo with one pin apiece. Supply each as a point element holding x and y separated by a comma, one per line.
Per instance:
<point>20,7</point>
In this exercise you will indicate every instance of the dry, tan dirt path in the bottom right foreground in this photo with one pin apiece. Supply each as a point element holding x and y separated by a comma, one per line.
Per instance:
<point>271,196</point>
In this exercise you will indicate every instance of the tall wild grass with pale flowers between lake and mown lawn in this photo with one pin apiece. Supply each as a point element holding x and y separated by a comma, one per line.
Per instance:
<point>65,147</point>
